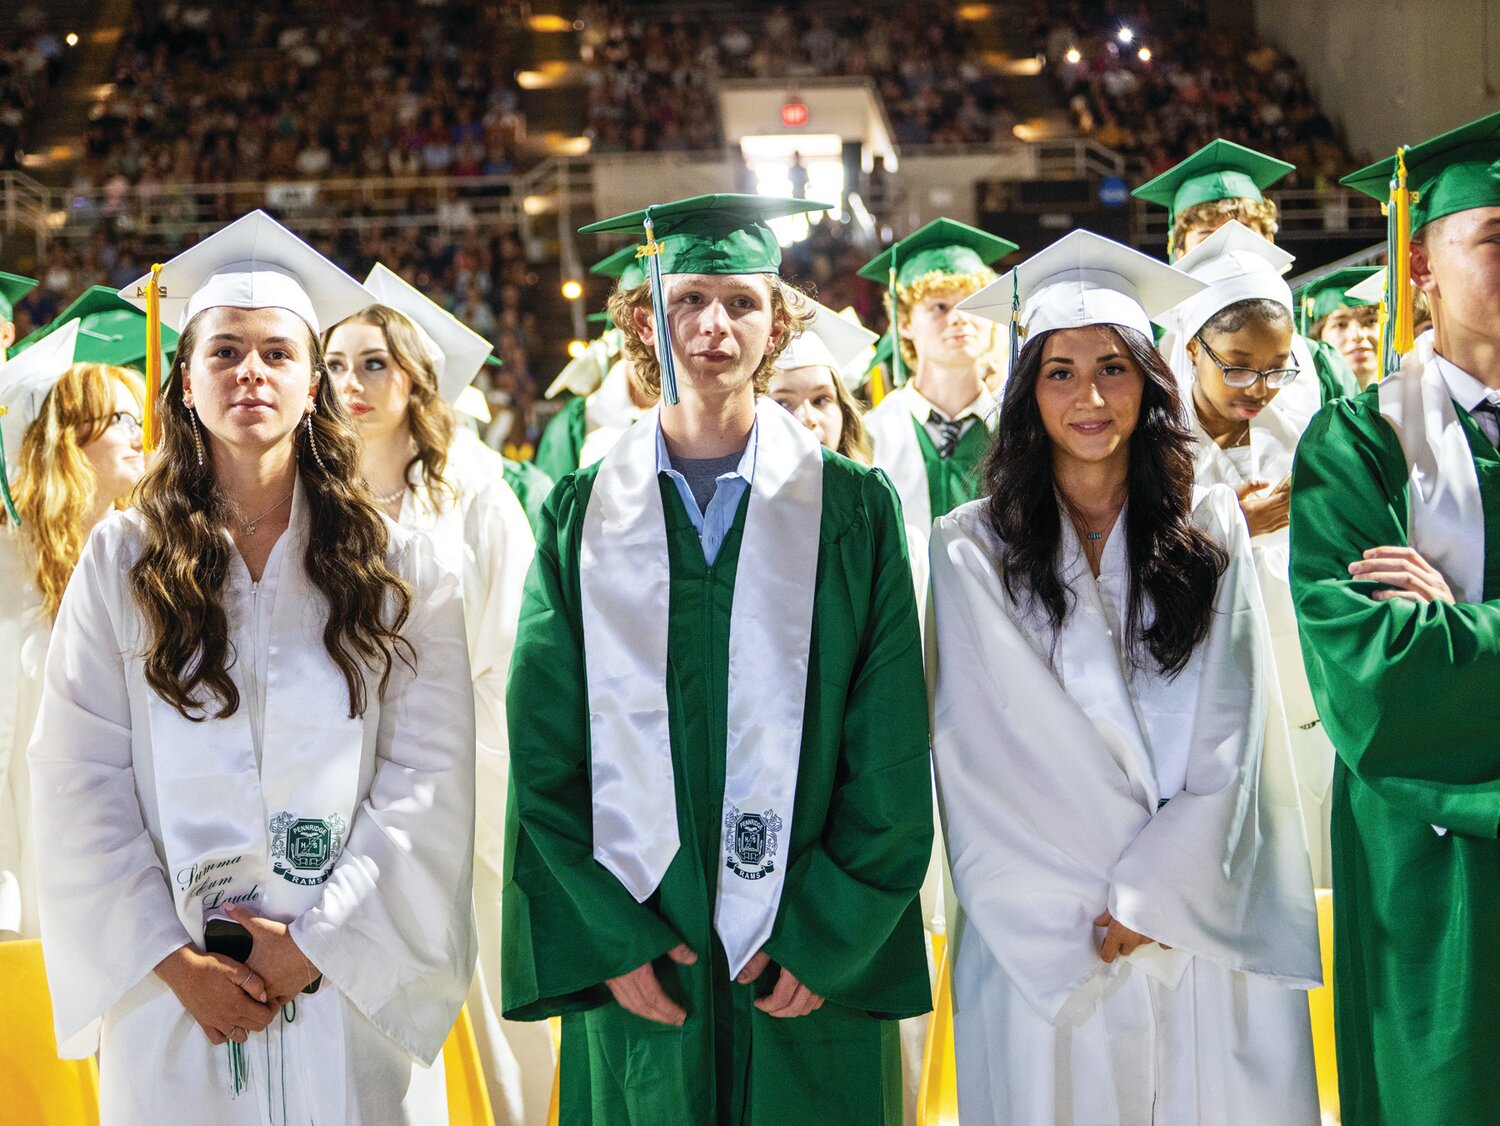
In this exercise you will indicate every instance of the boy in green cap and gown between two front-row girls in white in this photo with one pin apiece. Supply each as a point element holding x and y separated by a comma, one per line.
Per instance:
<point>718,726</point>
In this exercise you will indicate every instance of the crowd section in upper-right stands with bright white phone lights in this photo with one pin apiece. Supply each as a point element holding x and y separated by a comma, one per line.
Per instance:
<point>1163,89</point>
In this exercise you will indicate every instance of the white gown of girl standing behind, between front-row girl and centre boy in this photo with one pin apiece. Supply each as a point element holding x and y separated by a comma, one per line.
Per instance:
<point>485,539</point>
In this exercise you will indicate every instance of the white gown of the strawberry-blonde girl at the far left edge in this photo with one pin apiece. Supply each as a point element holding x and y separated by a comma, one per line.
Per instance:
<point>25,632</point>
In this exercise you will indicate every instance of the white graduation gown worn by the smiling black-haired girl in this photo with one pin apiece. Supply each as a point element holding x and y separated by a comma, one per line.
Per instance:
<point>1051,785</point>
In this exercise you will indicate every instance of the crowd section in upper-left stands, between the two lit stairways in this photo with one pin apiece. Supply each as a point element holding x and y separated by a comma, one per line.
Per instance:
<point>314,89</point>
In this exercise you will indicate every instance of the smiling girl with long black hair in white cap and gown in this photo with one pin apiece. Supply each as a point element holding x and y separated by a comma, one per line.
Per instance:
<point>1136,915</point>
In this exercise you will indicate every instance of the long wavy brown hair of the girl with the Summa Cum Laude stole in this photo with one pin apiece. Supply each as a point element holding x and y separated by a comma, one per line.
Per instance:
<point>179,579</point>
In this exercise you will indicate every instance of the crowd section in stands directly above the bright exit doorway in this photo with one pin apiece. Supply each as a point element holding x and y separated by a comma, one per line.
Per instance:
<point>652,80</point>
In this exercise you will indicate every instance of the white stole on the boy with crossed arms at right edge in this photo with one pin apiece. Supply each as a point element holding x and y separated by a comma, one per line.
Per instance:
<point>1447,515</point>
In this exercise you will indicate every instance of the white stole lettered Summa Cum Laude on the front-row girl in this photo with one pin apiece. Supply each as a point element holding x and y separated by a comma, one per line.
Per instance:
<point>263,834</point>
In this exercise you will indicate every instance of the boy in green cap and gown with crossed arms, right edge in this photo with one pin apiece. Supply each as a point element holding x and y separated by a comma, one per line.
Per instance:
<point>1396,573</point>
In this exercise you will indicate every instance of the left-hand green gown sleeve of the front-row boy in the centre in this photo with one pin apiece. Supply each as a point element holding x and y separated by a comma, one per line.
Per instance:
<point>568,923</point>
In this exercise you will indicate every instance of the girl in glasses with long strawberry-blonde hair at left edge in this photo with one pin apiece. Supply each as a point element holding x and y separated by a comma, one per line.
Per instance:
<point>73,454</point>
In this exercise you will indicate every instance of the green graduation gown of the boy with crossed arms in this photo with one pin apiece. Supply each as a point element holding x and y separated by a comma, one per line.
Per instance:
<point>1408,696</point>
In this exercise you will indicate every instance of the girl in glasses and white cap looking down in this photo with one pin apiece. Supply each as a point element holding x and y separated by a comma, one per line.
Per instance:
<point>1237,358</point>
